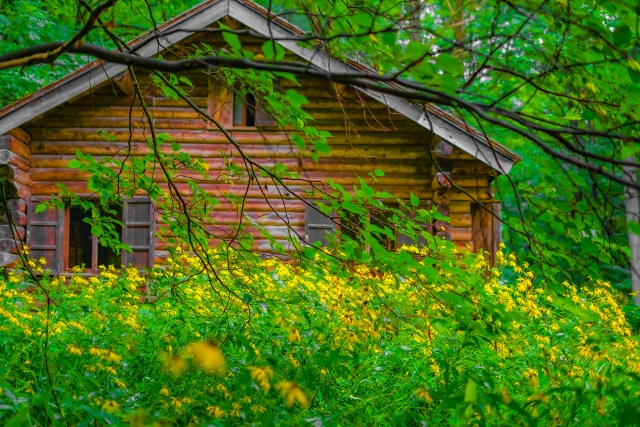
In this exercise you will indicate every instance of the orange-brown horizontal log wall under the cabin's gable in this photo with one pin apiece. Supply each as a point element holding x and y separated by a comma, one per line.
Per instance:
<point>367,136</point>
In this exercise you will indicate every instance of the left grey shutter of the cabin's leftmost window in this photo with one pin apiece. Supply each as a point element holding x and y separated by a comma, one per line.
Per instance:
<point>45,235</point>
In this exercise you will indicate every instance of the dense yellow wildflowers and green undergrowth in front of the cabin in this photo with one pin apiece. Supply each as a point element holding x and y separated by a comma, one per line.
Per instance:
<point>280,343</point>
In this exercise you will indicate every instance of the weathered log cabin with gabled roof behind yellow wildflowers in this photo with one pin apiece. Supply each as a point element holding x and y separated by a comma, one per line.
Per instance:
<point>424,151</point>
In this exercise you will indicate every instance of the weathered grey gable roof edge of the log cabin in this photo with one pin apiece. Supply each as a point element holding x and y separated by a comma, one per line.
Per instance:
<point>260,20</point>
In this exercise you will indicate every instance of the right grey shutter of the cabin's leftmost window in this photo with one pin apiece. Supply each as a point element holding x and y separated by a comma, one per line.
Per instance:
<point>139,232</point>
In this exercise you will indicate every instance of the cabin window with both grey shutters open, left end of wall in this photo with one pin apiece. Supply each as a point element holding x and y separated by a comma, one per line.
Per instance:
<point>63,237</point>
